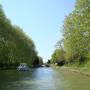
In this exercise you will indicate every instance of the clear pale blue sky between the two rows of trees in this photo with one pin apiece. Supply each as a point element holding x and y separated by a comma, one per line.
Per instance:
<point>42,20</point>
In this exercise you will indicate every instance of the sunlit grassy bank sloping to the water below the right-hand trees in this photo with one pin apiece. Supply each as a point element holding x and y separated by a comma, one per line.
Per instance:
<point>83,69</point>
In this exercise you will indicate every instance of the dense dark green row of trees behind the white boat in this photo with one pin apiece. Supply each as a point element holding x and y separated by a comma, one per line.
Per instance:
<point>15,45</point>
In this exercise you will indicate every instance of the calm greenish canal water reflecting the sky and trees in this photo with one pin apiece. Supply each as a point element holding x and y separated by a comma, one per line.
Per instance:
<point>43,79</point>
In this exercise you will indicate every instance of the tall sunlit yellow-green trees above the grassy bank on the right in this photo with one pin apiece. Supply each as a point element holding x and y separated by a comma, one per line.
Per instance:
<point>76,34</point>
